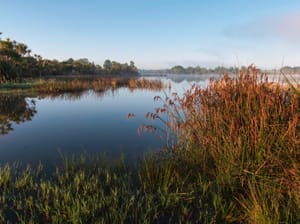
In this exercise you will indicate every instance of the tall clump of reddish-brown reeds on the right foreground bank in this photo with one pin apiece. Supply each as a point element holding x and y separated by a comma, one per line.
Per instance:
<point>240,136</point>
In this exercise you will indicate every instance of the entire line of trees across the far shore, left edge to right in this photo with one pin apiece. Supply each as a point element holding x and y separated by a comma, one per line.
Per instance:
<point>17,62</point>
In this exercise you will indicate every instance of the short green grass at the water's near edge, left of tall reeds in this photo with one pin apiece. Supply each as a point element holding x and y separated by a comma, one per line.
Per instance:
<point>92,190</point>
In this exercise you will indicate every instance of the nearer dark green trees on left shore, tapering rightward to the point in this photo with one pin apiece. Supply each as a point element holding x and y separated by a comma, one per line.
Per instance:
<point>17,63</point>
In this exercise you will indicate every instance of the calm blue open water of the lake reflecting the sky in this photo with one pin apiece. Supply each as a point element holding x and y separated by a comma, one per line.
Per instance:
<point>87,123</point>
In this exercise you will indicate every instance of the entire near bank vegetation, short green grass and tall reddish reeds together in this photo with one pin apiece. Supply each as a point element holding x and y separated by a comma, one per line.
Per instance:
<point>237,160</point>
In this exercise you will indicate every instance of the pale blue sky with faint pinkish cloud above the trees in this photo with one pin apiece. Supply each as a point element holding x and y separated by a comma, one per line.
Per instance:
<point>158,34</point>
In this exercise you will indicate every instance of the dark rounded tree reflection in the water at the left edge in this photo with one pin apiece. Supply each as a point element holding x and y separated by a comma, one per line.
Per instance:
<point>15,109</point>
